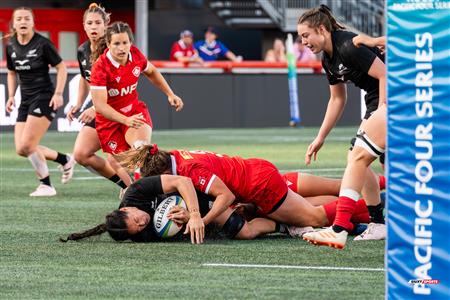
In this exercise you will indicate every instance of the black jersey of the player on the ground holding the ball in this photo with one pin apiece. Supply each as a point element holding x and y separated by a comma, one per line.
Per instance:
<point>146,194</point>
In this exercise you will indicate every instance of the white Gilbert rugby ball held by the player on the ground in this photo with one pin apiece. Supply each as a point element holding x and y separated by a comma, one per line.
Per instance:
<point>164,227</point>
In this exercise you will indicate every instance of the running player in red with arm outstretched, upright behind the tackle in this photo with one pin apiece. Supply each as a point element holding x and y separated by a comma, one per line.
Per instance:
<point>122,121</point>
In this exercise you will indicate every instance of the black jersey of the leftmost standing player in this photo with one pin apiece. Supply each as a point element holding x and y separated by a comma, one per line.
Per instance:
<point>31,62</point>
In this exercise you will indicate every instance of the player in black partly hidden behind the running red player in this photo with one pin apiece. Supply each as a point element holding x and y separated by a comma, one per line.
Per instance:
<point>95,20</point>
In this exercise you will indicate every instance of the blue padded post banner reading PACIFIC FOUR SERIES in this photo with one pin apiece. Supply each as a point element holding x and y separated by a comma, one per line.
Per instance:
<point>418,149</point>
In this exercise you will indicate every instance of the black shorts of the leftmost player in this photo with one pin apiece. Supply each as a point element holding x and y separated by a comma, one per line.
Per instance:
<point>36,107</point>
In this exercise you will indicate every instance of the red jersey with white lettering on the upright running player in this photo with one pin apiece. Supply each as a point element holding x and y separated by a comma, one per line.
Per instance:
<point>119,81</point>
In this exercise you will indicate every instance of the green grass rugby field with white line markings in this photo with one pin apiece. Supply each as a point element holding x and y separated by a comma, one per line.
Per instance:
<point>33,264</point>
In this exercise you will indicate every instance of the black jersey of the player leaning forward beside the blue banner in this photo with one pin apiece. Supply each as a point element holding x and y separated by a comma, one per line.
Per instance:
<point>350,63</point>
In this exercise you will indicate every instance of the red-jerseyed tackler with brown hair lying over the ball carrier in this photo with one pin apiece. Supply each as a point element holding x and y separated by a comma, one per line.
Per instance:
<point>230,180</point>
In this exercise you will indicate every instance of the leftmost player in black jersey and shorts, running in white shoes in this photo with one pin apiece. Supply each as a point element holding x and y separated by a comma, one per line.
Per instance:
<point>29,55</point>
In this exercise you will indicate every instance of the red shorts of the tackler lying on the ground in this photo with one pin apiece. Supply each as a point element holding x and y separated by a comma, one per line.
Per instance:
<point>268,188</point>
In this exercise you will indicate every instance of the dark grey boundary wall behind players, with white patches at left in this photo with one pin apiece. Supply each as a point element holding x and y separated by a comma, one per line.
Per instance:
<point>223,100</point>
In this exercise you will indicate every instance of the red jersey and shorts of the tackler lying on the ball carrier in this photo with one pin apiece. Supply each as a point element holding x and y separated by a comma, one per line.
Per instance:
<point>250,180</point>
